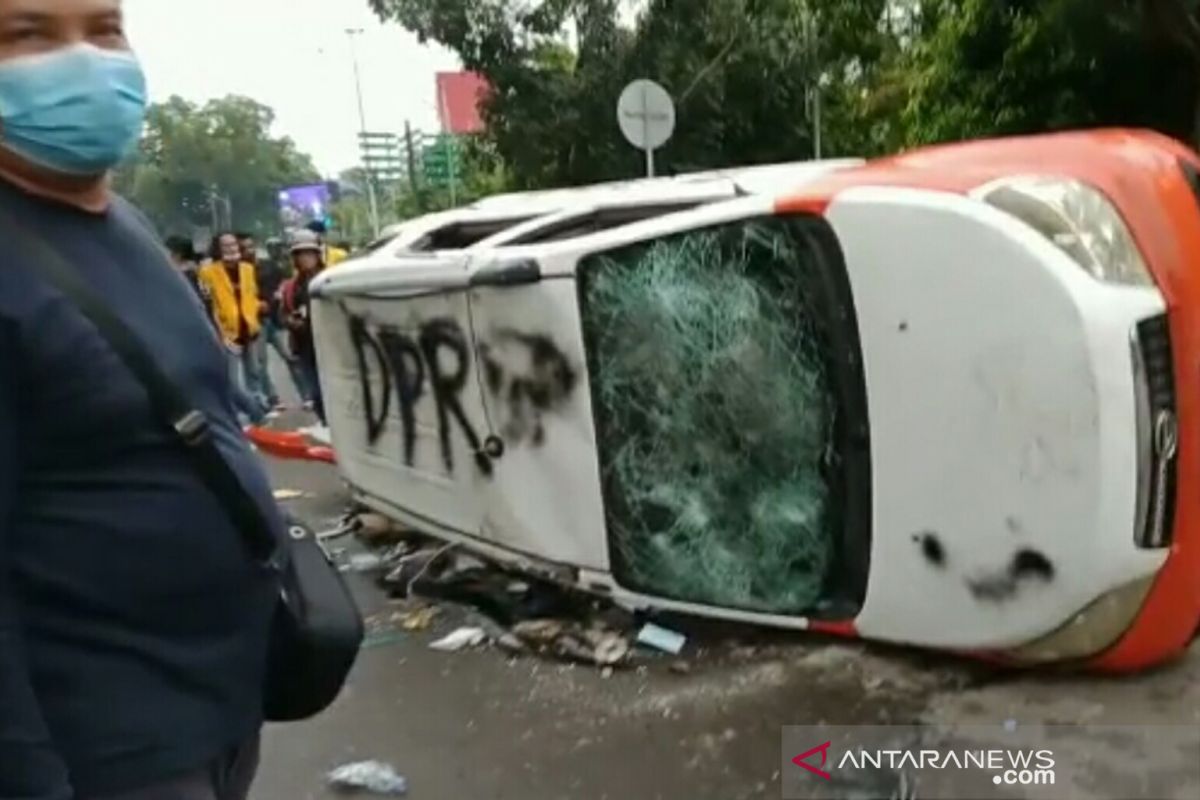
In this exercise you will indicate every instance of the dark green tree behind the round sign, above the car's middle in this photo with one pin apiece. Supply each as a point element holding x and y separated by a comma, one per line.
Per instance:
<point>742,71</point>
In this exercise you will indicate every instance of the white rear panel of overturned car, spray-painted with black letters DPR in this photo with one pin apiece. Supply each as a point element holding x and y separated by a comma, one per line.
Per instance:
<point>401,389</point>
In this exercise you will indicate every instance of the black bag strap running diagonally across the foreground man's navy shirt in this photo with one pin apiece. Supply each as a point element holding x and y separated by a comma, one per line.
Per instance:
<point>188,423</point>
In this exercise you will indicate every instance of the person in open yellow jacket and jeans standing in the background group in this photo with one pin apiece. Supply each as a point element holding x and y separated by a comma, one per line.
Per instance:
<point>233,286</point>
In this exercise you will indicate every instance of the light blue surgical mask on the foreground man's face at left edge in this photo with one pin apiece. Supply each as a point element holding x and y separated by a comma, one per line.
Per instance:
<point>77,111</point>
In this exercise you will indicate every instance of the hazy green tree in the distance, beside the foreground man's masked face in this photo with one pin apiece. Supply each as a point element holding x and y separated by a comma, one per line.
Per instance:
<point>214,163</point>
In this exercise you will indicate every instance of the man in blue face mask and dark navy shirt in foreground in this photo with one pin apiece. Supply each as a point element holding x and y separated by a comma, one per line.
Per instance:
<point>134,622</point>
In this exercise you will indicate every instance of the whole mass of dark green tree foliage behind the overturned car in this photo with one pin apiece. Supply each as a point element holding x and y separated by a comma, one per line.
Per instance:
<point>891,74</point>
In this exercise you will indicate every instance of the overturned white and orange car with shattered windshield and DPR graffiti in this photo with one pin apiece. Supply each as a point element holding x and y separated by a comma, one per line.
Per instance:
<point>950,400</point>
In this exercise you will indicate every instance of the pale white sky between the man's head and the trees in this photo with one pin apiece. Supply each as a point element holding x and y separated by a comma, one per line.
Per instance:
<point>293,56</point>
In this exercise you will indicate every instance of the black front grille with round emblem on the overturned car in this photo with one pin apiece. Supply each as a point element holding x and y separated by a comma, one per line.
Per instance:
<point>1159,435</point>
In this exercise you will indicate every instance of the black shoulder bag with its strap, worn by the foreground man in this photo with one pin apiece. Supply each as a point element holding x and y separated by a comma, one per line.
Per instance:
<point>319,630</point>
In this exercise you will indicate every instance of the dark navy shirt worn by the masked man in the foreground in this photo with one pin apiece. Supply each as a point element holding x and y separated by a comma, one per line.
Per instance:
<point>134,622</point>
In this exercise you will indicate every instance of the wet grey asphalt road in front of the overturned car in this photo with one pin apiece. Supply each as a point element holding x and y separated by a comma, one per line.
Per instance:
<point>483,725</point>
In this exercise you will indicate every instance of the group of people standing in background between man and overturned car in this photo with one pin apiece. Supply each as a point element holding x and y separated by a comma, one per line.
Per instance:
<point>257,303</point>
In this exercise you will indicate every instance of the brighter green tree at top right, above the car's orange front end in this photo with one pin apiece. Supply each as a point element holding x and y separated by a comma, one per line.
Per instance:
<point>986,68</point>
